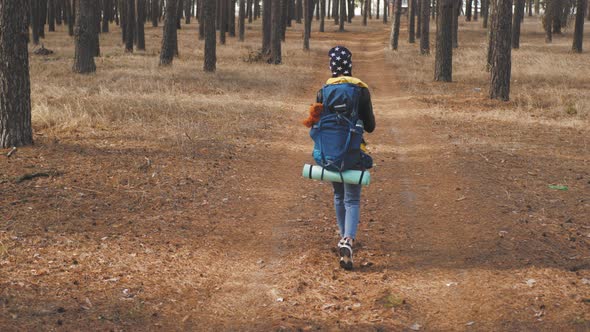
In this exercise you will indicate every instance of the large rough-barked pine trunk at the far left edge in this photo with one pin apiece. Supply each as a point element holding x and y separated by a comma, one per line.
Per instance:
<point>15,86</point>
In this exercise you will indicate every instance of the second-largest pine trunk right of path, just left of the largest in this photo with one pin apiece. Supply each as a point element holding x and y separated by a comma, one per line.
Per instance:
<point>443,67</point>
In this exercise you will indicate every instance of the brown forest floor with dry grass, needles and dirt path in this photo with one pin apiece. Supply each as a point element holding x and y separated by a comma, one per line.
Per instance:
<point>172,199</point>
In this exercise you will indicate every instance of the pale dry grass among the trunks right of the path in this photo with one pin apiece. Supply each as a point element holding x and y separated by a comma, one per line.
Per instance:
<point>548,81</point>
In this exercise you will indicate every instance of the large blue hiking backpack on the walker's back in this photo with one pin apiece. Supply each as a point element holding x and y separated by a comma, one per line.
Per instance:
<point>339,133</point>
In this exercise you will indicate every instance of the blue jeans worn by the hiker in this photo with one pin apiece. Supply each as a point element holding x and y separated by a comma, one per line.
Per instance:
<point>347,201</point>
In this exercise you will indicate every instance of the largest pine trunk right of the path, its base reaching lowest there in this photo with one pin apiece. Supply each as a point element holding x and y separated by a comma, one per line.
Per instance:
<point>501,53</point>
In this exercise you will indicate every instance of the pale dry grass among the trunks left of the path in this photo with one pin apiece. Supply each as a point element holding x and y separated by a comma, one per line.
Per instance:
<point>131,91</point>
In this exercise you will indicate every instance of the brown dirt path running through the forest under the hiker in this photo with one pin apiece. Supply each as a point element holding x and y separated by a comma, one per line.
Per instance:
<point>434,248</point>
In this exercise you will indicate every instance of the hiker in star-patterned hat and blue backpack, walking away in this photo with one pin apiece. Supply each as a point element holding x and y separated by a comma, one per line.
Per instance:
<point>343,101</point>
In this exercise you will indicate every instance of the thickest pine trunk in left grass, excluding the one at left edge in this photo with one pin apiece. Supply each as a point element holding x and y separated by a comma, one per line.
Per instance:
<point>84,38</point>
